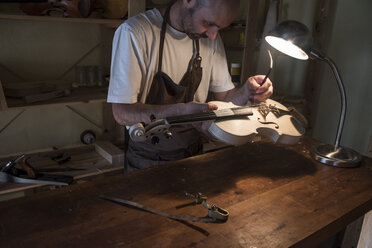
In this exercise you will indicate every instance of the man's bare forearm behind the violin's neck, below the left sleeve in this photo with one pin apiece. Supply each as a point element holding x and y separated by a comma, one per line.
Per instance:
<point>128,114</point>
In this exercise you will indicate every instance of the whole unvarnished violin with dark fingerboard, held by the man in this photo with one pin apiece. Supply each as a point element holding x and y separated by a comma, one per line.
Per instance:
<point>232,124</point>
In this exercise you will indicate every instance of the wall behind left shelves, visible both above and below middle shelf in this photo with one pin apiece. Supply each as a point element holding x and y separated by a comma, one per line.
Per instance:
<point>32,51</point>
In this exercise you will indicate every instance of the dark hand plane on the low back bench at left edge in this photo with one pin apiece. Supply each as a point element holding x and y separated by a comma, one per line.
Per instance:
<point>10,174</point>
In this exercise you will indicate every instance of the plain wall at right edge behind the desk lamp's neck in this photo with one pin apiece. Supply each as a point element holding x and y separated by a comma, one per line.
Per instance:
<point>350,48</point>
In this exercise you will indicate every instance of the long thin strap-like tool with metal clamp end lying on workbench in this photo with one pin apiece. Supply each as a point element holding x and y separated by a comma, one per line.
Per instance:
<point>215,214</point>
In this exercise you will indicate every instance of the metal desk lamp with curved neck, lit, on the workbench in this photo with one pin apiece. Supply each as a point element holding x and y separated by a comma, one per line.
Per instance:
<point>294,39</point>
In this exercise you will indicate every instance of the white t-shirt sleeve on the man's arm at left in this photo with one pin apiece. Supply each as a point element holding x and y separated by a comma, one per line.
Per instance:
<point>126,72</point>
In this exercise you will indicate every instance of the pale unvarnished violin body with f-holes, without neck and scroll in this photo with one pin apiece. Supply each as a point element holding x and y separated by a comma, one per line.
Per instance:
<point>270,119</point>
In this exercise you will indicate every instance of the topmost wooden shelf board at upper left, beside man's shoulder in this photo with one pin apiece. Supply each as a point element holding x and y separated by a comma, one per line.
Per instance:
<point>20,17</point>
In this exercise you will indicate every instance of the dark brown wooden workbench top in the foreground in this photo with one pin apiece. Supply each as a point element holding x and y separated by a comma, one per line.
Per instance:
<point>277,196</point>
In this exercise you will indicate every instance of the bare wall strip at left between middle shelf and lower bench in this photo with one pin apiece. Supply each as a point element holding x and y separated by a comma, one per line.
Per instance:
<point>45,128</point>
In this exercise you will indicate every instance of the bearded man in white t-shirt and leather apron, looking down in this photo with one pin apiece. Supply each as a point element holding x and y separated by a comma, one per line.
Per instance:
<point>164,63</point>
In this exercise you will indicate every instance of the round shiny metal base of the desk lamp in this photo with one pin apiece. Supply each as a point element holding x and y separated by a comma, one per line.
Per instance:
<point>338,157</point>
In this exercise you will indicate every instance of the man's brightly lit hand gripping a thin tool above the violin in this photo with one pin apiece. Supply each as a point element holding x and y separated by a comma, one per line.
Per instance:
<point>257,92</point>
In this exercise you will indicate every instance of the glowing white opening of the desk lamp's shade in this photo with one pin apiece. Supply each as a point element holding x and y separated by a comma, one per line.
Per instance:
<point>286,47</point>
